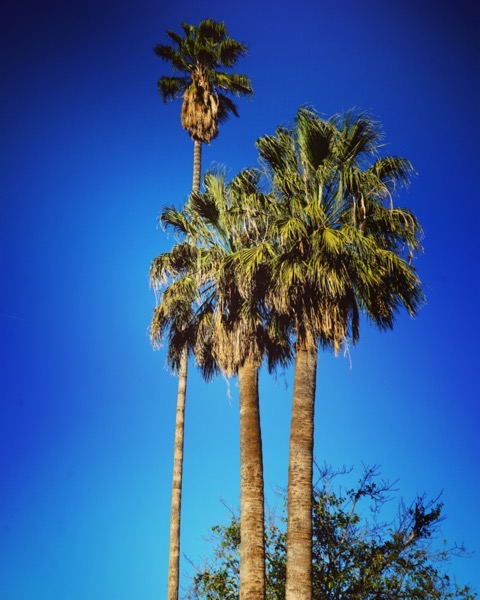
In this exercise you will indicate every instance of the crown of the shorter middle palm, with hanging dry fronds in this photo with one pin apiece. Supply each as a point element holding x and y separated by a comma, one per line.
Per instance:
<point>209,306</point>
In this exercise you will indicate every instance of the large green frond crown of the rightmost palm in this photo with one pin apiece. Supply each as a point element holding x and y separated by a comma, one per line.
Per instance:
<point>342,246</point>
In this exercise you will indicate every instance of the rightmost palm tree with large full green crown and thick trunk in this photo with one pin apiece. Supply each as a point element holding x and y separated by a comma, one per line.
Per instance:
<point>339,252</point>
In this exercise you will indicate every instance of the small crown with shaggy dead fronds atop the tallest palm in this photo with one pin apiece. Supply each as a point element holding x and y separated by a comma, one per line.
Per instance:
<point>202,55</point>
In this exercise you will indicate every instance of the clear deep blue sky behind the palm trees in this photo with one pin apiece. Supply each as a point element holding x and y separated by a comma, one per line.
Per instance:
<point>89,155</point>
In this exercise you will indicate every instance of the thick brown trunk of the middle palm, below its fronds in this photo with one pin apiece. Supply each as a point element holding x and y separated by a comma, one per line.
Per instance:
<point>252,549</point>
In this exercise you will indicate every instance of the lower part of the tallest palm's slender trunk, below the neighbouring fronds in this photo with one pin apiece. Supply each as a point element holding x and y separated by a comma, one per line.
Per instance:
<point>173,568</point>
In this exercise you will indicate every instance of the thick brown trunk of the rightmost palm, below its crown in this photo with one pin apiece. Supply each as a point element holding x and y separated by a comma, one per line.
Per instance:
<point>300,472</point>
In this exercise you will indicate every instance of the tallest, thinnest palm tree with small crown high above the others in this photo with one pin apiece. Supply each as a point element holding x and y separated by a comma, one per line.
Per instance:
<point>201,56</point>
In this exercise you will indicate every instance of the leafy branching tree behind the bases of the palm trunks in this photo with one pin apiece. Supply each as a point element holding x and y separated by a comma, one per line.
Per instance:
<point>362,548</point>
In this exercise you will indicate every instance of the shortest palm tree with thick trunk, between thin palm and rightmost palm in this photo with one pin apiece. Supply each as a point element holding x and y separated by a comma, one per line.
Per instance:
<point>226,327</point>
